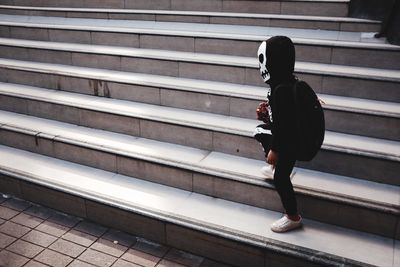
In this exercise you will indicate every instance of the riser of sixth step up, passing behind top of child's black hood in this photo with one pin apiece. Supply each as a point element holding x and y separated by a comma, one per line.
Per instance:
<point>321,54</point>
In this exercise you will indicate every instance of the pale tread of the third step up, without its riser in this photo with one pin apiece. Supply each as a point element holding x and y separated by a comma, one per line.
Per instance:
<point>241,126</point>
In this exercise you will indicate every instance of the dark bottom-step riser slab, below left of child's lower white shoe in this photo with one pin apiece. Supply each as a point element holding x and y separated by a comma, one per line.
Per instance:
<point>216,248</point>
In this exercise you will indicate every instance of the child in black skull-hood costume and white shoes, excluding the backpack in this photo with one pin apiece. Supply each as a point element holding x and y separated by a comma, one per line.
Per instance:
<point>276,61</point>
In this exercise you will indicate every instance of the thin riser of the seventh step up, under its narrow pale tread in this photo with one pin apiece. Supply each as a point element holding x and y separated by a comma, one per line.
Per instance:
<point>265,22</point>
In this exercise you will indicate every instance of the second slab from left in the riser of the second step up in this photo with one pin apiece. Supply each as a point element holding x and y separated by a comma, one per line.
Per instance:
<point>85,156</point>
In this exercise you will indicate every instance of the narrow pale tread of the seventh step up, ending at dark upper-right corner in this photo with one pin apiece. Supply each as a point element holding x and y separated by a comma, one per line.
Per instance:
<point>195,13</point>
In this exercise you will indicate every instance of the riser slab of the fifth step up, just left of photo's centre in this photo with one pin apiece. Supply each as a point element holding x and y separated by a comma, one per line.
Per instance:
<point>149,66</point>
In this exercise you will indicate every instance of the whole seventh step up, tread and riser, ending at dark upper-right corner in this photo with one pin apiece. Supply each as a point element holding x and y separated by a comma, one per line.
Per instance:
<point>266,20</point>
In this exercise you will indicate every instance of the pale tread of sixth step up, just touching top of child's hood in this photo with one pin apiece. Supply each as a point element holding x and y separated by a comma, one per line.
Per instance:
<point>253,33</point>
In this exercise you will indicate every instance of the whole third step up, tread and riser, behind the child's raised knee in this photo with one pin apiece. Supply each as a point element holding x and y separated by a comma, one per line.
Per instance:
<point>365,158</point>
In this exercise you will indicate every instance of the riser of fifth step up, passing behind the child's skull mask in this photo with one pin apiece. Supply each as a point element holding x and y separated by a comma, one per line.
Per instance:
<point>335,85</point>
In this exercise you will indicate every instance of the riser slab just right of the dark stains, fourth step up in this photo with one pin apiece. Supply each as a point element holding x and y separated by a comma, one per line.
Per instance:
<point>138,93</point>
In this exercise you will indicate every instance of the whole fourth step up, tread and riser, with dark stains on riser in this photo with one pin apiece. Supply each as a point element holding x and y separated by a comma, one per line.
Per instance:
<point>343,114</point>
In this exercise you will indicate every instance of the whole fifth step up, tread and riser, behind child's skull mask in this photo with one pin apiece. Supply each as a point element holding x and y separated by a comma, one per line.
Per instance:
<point>324,78</point>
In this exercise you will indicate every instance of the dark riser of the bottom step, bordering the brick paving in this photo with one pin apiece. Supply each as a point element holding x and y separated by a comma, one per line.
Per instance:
<point>159,231</point>
